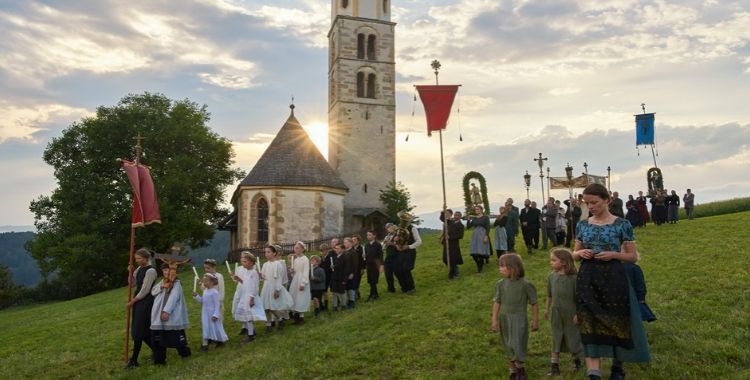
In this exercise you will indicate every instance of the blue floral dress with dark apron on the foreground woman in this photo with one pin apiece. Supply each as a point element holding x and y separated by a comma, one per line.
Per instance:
<point>608,312</point>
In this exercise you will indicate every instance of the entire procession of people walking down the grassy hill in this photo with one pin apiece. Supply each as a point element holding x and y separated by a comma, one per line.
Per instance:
<point>596,310</point>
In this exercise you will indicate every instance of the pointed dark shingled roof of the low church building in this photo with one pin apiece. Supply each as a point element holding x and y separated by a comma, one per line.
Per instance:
<point>293,160</point>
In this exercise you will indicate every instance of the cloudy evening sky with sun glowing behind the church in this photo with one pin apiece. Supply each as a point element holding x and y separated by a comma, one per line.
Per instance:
<point>563,78</point>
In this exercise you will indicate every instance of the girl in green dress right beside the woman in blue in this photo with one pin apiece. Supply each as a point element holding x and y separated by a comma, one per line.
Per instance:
<point>561,309</point>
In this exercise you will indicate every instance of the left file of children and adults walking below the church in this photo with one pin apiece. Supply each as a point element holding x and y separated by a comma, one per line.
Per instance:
<point>290,286</point>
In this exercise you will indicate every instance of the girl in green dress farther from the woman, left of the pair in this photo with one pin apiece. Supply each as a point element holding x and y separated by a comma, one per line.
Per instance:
<point>512,294</point>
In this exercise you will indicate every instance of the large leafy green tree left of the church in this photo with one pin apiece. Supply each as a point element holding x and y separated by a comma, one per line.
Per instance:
<point>83,227</point>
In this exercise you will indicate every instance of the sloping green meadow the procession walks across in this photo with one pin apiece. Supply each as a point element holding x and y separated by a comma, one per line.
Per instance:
<point>698,287</point>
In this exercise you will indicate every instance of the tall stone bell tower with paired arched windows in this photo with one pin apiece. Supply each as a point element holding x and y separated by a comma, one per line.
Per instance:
<point>362,104</point>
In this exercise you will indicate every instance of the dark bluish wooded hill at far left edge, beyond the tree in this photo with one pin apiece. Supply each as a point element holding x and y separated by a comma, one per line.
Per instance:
<point>14,256</point>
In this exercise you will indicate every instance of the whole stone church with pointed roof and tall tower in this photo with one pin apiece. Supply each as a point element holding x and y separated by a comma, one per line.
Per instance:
<point>292,193</point>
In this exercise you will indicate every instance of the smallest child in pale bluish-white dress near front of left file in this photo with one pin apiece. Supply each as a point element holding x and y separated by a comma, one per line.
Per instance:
<point>211,323</point>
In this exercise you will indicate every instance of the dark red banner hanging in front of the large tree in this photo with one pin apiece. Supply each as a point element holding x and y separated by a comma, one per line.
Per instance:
<point>145,204</point>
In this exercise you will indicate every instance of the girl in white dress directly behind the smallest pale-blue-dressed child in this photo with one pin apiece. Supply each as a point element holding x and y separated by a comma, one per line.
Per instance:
<point>247,306</point>
